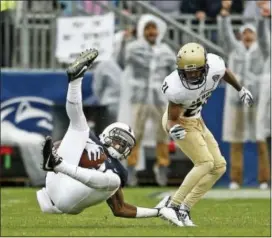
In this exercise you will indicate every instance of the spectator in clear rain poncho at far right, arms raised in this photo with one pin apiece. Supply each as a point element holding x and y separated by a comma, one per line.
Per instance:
<point>246,61</point>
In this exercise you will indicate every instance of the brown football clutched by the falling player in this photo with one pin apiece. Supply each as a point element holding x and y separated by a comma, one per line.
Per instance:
<point>85,162</point>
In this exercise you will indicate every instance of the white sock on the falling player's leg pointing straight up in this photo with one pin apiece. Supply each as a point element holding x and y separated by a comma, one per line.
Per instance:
<point>74,106</point>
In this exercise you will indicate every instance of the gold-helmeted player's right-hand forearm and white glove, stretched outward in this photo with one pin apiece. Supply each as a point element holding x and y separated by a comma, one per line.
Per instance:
<point>244,94</point>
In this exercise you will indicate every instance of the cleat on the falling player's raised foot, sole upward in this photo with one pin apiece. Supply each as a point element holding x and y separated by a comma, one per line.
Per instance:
<point>82,63</point>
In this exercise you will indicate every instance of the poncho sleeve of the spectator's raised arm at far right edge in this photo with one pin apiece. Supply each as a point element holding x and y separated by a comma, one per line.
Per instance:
<point>264,37</point>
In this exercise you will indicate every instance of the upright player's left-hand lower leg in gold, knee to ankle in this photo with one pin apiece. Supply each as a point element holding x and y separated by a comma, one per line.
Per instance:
<point>190,181</point>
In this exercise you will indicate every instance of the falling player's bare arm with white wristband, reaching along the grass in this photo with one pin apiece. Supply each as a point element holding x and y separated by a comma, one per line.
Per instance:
<point>122,209</point>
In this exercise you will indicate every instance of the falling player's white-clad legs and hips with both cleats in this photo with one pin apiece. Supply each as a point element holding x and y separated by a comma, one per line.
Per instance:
<point>54,197</point>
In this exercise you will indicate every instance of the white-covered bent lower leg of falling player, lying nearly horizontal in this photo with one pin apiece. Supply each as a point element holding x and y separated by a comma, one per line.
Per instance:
<point>90,177</point>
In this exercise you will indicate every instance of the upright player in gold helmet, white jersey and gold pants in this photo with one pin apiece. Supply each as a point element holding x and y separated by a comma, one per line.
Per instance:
<point>187,89</point>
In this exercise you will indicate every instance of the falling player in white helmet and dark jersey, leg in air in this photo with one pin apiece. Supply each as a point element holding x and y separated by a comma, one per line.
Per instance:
<point>70,188</point>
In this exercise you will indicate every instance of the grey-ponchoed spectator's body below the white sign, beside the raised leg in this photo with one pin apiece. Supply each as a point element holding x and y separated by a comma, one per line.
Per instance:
<point>106,86</point>
